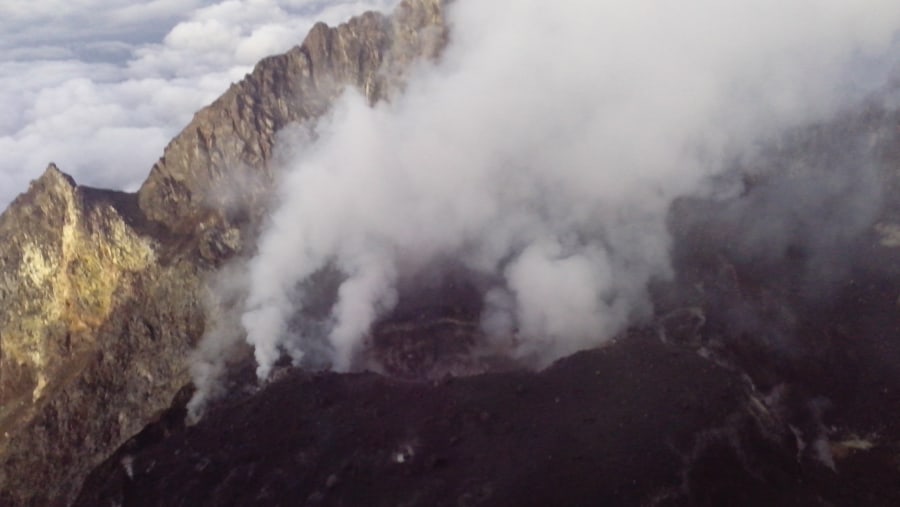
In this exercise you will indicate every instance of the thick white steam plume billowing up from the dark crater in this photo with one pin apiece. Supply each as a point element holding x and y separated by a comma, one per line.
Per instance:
<point>544,151</point>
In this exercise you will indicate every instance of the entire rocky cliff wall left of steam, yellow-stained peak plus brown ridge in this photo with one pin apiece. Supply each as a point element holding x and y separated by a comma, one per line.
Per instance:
<point>101,292</point>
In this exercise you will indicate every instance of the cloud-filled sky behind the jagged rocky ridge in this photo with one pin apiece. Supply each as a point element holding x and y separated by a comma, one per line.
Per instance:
<point>100,86</point>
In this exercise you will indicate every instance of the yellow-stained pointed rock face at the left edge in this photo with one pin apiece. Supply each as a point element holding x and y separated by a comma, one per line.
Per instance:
<point>95,327</point>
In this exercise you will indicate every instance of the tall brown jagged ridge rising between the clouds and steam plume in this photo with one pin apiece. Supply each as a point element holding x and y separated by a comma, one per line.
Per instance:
<point>218,172</point>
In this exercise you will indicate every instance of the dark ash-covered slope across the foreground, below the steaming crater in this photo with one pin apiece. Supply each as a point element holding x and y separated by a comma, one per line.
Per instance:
<point>644,421</point>
